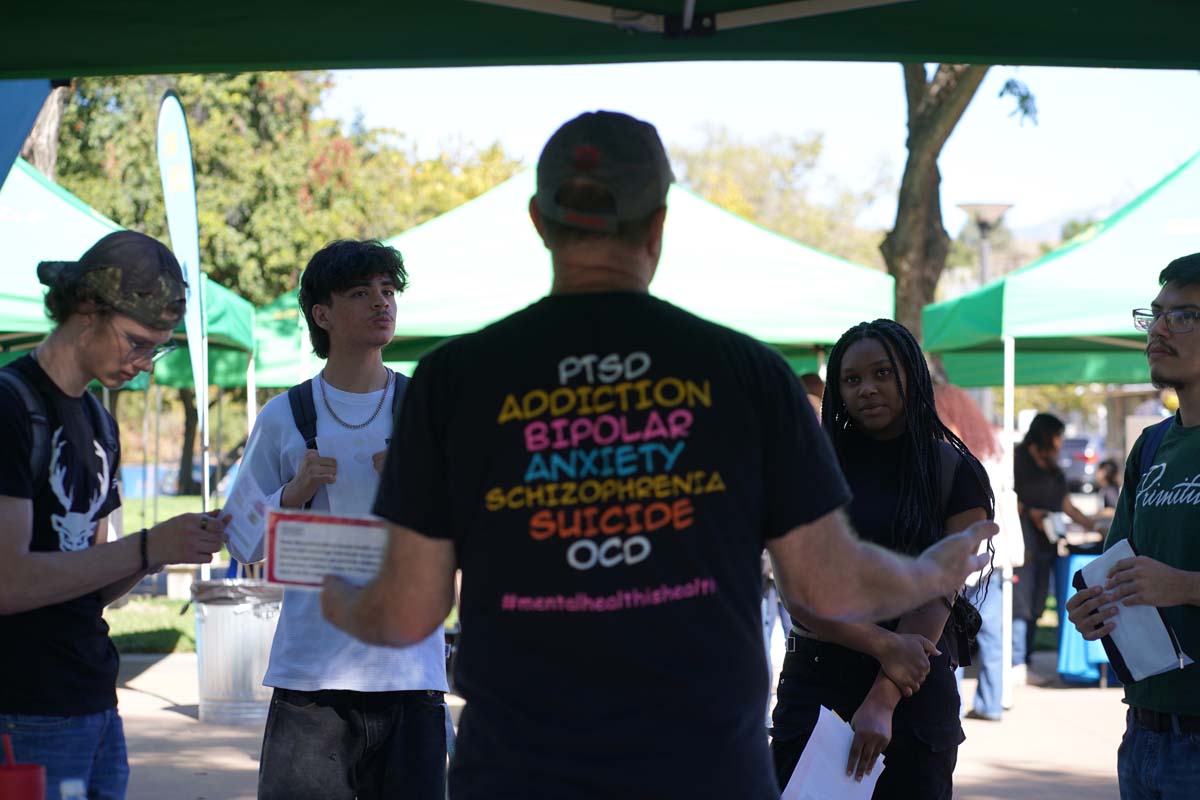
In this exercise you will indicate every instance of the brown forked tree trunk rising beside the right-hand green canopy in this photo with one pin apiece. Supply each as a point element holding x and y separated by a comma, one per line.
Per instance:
<point>916,249</point>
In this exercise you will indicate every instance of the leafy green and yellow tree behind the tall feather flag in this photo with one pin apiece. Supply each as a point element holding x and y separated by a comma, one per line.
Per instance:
<point>274,182</point>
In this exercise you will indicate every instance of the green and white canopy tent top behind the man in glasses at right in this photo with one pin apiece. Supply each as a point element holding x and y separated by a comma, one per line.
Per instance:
<point>1070,312</point>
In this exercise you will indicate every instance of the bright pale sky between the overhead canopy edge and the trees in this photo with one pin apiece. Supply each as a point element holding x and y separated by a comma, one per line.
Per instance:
<point>1102,136</point>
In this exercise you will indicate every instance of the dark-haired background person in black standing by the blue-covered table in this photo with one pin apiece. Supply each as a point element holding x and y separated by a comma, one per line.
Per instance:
<point>1041,491</point>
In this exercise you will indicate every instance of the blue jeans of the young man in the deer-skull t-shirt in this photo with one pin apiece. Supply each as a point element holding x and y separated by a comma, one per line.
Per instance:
<point>89,748</point>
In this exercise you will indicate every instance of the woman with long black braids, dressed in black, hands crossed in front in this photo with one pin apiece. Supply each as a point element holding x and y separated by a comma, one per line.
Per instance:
<point>914,483</point>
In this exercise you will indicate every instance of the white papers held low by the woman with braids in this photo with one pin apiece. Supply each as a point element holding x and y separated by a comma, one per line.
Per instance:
<point>821,772</point>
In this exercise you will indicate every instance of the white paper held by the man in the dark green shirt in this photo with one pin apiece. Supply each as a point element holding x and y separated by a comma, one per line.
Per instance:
<point>1139,635</point>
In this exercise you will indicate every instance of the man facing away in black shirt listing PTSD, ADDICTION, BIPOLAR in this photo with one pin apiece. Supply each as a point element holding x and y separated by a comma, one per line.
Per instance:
<point>607,470</point>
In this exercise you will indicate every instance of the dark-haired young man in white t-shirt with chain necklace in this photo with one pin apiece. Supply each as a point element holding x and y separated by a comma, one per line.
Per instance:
<point>347,720</point>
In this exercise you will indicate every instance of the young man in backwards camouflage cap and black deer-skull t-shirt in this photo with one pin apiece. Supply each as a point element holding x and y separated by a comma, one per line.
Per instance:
<point>115,311</point>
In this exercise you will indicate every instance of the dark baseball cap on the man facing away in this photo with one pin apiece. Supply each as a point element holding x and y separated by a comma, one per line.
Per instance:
<point>616,152</point>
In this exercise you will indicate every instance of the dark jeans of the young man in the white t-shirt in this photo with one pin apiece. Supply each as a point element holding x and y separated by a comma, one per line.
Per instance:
<point>331,745</point>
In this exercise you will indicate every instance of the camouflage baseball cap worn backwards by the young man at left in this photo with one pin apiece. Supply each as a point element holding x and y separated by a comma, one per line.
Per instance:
<point>134,274</point>
